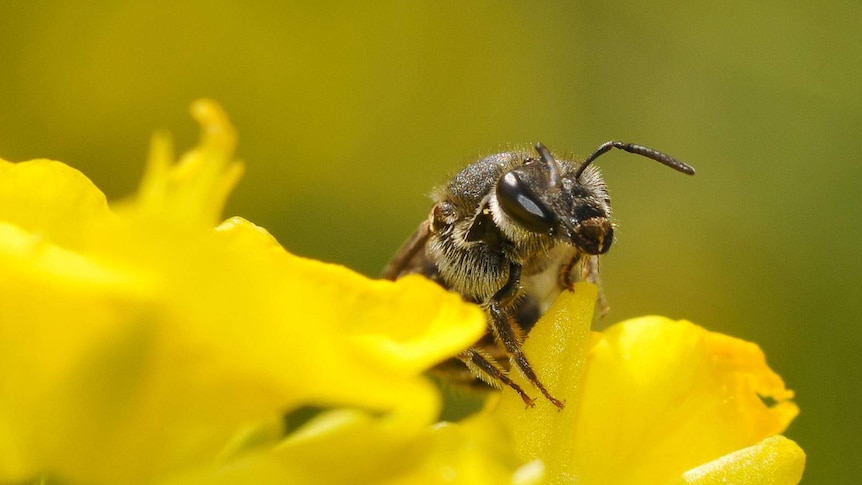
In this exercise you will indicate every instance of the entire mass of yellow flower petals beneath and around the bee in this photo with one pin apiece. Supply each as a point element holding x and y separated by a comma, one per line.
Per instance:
<point>144,342</point>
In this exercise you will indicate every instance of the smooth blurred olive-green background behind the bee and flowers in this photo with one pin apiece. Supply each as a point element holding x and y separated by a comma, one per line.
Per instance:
<point>349,114</point>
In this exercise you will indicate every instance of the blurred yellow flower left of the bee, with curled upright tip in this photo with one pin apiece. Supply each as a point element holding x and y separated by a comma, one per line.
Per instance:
<point>141,343</point>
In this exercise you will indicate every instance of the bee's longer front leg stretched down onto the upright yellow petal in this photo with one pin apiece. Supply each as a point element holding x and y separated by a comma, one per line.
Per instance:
<point>508,333</point>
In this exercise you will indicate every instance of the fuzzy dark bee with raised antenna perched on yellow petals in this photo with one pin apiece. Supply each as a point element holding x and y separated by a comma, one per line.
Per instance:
<point>510,232</point>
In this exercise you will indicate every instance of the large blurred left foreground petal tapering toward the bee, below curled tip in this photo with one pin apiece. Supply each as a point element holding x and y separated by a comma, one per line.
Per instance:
<point>158,353</point>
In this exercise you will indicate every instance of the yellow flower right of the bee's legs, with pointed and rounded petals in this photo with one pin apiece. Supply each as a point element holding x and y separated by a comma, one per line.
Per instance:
<point>651,401</point>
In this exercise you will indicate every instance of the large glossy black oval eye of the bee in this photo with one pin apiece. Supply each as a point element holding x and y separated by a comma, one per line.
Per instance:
<point>521,204</point>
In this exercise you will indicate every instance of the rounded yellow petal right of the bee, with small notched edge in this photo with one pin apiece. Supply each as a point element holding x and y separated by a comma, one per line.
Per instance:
<point>663,396</point>
